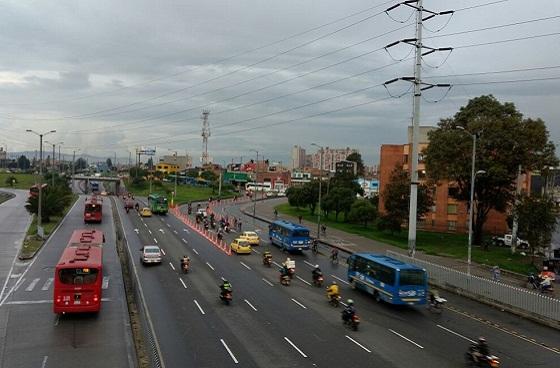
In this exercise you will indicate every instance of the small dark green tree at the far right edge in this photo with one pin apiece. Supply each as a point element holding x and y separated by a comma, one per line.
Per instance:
<point>537,220</point>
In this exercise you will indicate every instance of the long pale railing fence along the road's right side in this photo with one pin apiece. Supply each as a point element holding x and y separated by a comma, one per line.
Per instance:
<point>514,298</point>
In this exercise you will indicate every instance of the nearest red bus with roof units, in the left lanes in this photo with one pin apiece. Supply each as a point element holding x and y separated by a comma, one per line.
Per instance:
<point>78,276</point>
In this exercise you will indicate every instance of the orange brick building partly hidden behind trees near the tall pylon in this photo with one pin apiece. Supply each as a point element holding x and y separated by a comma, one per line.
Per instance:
<point>447,214</point>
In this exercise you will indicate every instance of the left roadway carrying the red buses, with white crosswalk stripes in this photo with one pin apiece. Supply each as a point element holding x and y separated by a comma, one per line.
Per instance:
<point>33,336</point>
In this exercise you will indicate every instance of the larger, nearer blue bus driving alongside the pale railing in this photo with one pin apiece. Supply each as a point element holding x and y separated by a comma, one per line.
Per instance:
<point>388,279</point>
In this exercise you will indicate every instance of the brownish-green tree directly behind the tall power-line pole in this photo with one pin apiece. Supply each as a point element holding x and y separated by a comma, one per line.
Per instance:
<point>396,197</point>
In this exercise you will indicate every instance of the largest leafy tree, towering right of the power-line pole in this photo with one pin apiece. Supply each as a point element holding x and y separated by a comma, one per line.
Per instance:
<point>505,141</point>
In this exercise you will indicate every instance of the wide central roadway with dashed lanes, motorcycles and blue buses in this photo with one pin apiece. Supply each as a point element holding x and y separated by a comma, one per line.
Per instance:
<point>269,325</point>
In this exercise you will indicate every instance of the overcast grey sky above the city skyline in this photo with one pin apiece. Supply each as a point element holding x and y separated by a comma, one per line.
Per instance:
<point>112,75</point>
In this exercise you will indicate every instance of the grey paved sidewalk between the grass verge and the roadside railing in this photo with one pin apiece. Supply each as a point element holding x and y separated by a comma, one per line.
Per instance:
<point>352,243</point>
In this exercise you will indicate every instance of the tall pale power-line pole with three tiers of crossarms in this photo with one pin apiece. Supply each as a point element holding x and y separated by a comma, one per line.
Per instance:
<point>419,86</point>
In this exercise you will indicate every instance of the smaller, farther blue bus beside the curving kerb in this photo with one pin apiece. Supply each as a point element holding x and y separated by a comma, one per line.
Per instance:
<point>289,236</point>
